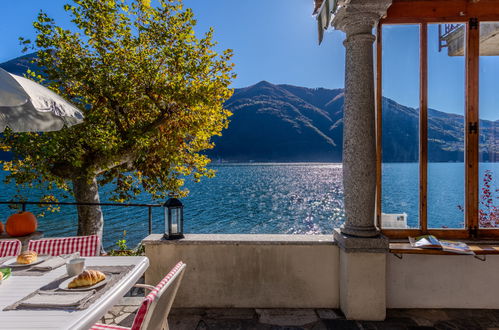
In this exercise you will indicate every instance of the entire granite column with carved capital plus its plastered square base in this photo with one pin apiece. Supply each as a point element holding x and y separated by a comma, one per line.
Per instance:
<point>362,249</point>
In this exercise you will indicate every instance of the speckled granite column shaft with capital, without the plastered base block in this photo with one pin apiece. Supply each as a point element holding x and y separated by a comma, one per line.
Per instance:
<point>357,19</point>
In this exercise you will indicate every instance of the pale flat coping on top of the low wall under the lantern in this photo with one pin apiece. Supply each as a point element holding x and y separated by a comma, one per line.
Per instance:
<point>242,239</point>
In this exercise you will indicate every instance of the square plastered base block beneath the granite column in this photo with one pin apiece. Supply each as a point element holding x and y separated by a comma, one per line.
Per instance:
<point>362,276</point>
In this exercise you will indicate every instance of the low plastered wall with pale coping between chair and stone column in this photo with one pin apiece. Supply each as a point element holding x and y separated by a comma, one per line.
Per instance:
<point>238,271</point>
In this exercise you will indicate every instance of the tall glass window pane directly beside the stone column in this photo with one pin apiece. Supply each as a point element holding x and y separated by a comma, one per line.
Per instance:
<point>400,130</point>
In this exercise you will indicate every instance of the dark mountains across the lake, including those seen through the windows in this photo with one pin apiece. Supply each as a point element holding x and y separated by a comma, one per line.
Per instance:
<point>285,123</point>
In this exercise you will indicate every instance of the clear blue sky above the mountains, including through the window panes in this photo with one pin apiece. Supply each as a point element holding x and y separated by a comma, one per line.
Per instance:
<point>276,40</point>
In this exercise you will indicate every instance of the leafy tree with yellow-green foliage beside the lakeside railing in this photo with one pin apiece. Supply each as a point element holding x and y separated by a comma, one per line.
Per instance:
<point>152,94</point>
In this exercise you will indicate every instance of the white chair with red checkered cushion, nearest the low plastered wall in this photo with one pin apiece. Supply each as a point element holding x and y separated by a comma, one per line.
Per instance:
<point>153,312</point>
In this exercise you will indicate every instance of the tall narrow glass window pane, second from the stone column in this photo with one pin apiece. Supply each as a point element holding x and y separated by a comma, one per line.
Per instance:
<point>446,110</point>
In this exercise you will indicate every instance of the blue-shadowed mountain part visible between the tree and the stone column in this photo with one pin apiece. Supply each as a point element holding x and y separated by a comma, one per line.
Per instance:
<point>281,123</point>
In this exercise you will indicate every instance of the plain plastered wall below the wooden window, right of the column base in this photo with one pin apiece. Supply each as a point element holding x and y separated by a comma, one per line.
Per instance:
<point>442,281</point>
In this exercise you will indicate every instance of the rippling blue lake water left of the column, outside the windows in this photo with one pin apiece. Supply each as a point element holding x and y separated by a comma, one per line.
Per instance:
<point>242,198</point>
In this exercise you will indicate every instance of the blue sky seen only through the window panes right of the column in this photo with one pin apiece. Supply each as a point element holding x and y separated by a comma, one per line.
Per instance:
<point>446,74</point>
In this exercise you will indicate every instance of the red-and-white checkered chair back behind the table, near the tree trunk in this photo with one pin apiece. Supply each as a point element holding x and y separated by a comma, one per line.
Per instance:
<point>88,246</point>
